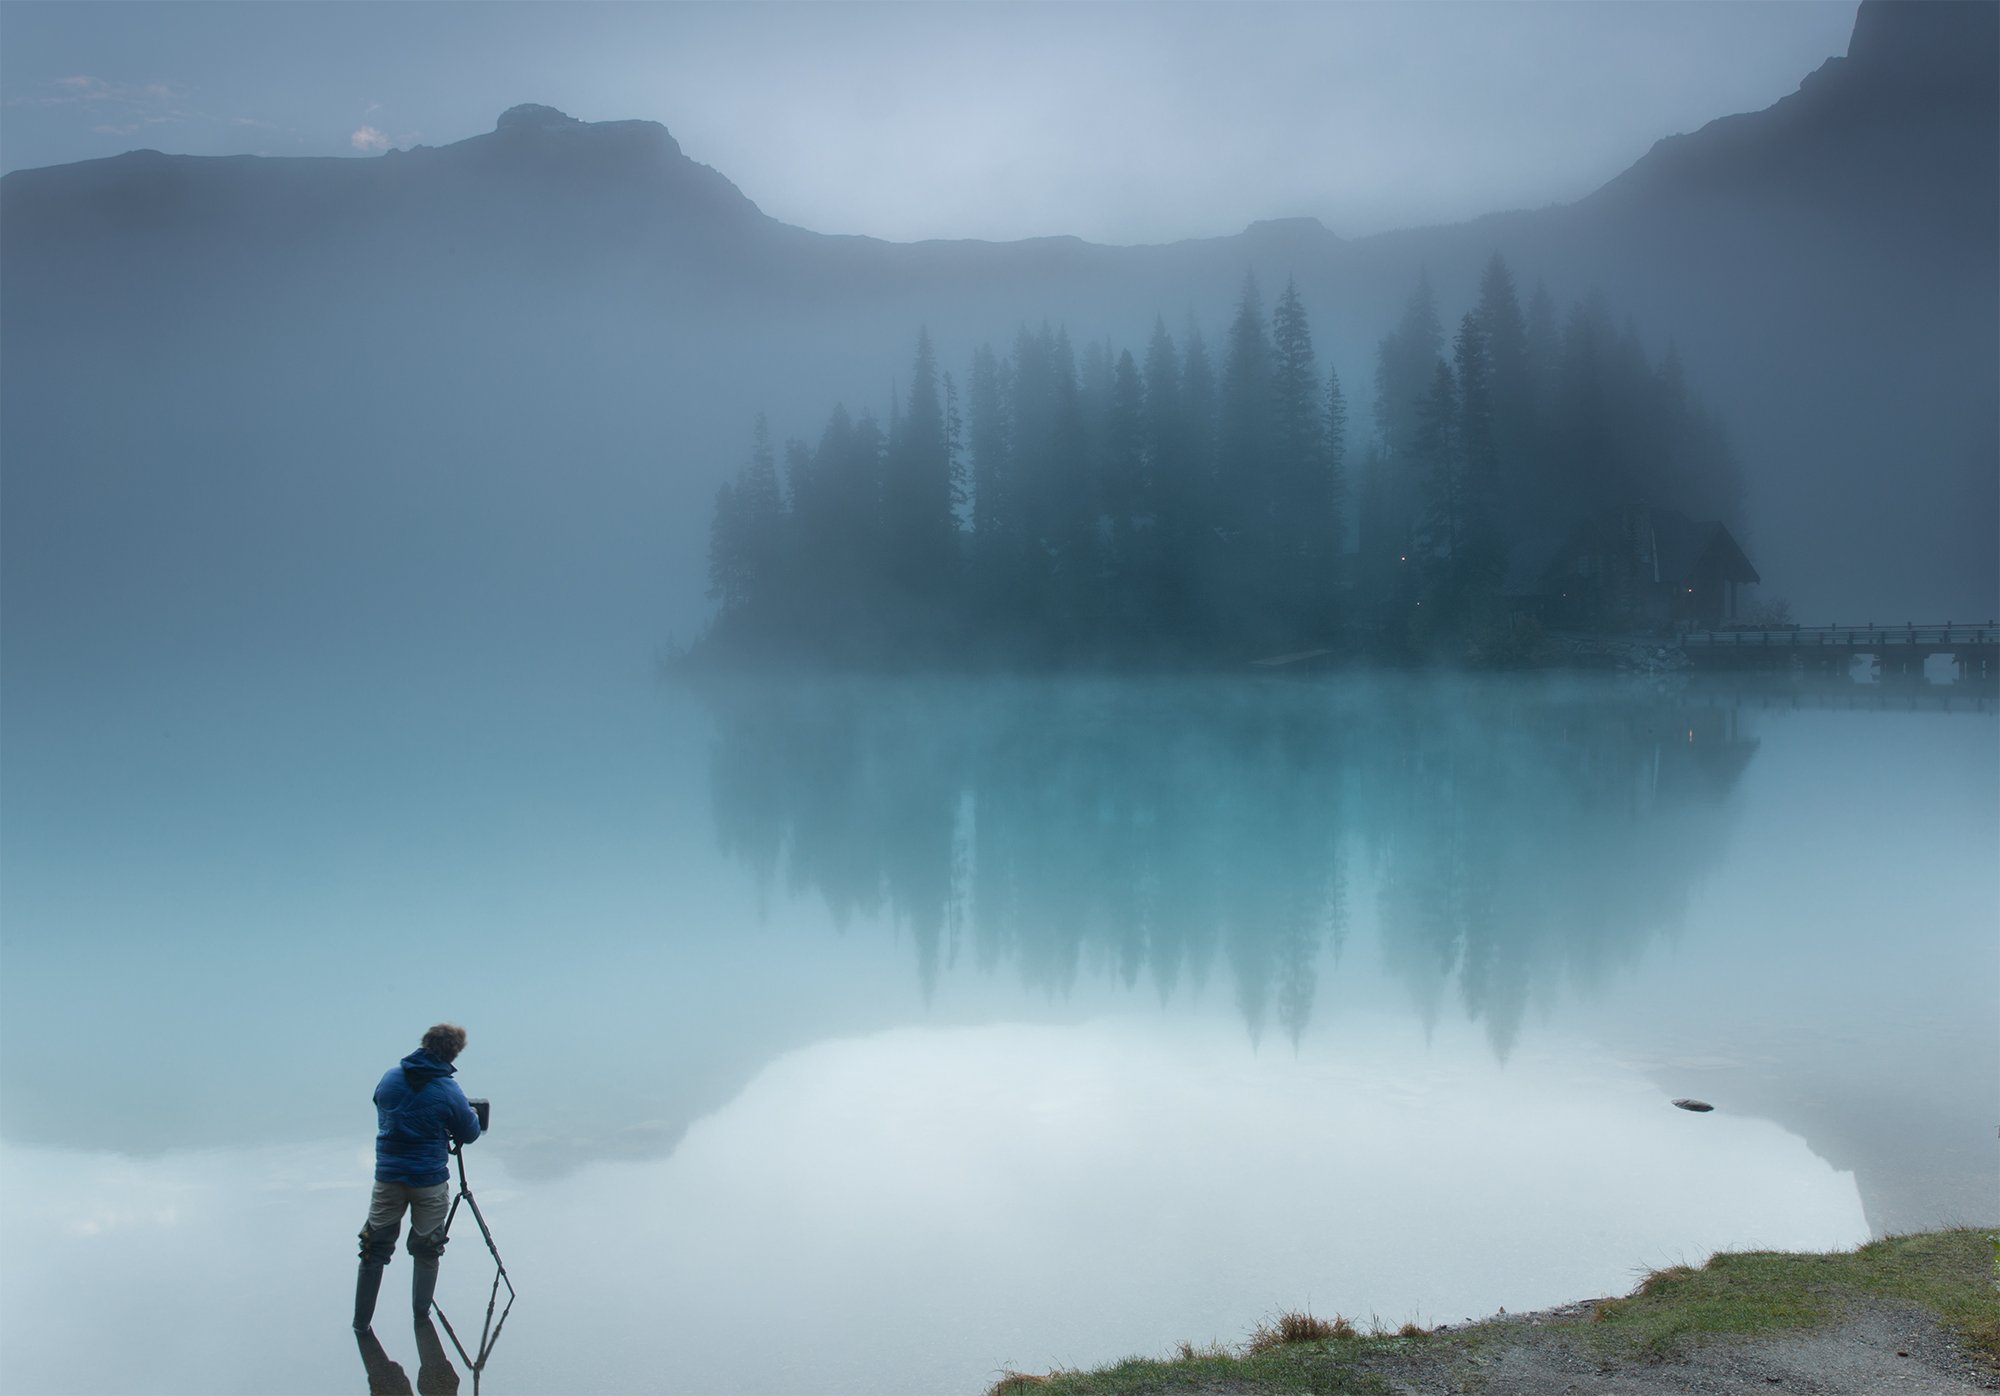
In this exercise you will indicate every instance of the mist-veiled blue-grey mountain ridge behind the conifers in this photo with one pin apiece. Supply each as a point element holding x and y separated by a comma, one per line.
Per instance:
<point>1827,269</point>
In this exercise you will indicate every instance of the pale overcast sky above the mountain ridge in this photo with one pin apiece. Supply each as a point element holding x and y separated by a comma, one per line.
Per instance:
<point>1117,123</point>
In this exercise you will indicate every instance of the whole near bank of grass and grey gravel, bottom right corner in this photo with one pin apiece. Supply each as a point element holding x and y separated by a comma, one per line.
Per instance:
<point>1915,1313</point>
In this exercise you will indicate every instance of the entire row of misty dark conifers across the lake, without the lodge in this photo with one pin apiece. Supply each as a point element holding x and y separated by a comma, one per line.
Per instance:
<point>1187,505</point>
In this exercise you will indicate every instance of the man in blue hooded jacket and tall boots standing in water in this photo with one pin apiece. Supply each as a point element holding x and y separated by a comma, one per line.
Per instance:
<point>419,1113</point>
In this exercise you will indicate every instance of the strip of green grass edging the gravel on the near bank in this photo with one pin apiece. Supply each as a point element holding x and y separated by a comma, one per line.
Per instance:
<point>1955,1275</point>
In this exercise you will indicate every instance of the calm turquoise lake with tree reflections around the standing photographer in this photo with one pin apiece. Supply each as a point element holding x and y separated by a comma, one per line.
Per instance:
<point>877,1037</point>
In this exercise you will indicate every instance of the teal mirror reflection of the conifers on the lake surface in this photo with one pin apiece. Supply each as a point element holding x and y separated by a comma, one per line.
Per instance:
<point>1159,829</point>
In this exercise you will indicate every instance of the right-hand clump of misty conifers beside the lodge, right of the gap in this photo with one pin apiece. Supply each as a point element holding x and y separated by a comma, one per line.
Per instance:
<point>1491,449</point>
